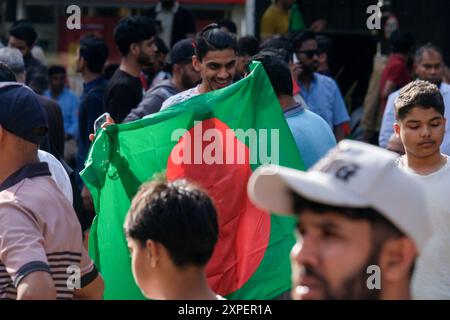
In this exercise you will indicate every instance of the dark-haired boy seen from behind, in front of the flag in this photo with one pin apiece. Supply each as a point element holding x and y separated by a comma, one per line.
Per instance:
<point>171,230</point>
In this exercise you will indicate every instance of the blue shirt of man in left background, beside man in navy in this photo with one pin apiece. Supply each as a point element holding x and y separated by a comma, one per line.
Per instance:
<point>69,104</point>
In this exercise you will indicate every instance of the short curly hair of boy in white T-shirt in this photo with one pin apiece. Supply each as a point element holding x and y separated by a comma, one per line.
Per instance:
<point>421,94</point>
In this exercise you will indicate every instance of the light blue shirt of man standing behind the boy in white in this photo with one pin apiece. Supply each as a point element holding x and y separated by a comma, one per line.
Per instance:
<point>387,129</point>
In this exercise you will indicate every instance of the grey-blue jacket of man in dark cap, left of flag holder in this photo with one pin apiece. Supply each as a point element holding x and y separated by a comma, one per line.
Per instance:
<point>152,101</point>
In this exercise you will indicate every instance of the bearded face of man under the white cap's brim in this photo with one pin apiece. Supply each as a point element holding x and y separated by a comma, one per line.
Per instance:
<point>332,258</point>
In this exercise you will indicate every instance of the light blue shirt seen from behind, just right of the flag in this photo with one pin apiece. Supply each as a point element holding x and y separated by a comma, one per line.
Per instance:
<point>312,135</point>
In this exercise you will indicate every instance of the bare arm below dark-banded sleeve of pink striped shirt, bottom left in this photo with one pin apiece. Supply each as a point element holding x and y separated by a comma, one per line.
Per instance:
<point>36,286</point>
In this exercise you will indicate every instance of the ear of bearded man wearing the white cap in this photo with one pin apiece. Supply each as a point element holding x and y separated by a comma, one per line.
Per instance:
<point>396,259</point>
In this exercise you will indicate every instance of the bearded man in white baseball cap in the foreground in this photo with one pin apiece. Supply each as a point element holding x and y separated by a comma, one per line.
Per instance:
<point>362,222</point>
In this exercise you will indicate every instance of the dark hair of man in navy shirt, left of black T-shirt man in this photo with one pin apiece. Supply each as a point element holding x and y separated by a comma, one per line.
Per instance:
<point>95,52</point>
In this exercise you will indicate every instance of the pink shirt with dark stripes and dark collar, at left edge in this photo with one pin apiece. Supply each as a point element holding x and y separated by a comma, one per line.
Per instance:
<point>39,231</point>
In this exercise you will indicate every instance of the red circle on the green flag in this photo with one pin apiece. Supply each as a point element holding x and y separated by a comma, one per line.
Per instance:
<point>211,155</point>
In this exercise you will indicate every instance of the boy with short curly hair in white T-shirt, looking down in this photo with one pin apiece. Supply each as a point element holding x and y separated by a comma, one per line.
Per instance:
<point>421,126</point>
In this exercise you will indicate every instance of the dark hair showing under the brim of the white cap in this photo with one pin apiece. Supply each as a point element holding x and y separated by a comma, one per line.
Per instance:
<point>383,228</point>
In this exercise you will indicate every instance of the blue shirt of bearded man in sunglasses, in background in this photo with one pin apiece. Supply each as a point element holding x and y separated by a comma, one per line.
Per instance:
<point>324,98</point>
